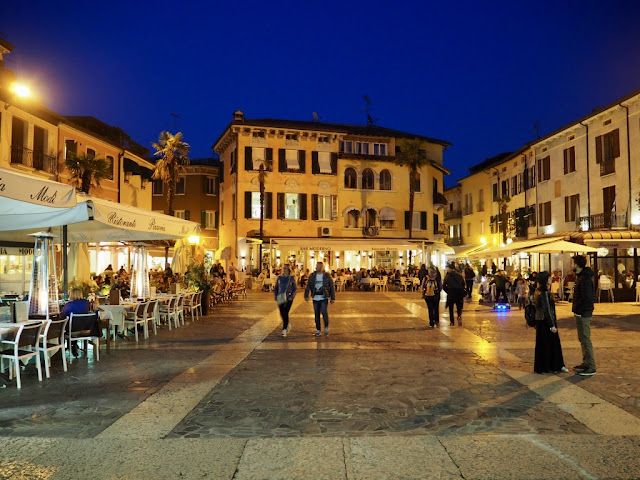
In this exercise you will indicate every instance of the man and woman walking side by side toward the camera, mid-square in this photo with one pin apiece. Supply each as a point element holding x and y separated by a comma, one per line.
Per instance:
<point>319,286</point>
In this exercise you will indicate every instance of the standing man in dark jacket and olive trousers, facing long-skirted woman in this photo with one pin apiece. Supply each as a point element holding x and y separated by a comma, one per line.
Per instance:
<point>583,311</point>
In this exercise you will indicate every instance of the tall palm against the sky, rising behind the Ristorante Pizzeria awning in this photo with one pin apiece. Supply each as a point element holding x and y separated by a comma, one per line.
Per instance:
<point>174,156</point>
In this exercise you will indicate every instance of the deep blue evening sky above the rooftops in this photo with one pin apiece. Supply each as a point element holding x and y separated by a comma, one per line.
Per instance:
<point>477,74</point>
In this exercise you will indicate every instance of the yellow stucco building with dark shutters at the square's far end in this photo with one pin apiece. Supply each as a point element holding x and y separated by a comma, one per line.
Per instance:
<point>332,191</point>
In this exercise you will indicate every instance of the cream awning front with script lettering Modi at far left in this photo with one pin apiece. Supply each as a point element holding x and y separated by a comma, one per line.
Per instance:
<point>37,191</point>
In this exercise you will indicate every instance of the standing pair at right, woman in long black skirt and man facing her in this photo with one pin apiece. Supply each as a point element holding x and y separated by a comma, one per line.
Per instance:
<point>548,351</point>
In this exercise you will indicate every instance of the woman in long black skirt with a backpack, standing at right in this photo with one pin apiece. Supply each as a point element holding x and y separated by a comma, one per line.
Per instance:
<point>548,352</point>
